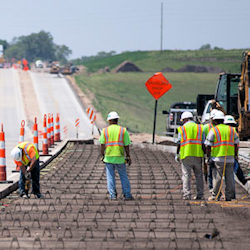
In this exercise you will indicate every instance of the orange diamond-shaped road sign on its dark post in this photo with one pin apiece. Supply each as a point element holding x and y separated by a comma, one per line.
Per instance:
<point>157,86</point>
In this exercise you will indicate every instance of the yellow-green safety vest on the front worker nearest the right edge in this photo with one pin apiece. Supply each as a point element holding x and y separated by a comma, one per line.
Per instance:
<point>224,141</point>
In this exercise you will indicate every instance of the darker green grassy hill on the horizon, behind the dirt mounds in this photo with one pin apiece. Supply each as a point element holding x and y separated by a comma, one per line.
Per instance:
<point>153,61</point>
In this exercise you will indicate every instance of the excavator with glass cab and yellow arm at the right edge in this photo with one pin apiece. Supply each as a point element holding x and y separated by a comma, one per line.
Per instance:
<point>232,93</point>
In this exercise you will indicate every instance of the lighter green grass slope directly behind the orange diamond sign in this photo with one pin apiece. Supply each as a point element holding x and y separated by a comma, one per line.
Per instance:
<point>126,93</point>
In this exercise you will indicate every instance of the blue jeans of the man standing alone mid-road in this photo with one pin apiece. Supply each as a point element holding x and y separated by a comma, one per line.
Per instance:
<point>110,172</point>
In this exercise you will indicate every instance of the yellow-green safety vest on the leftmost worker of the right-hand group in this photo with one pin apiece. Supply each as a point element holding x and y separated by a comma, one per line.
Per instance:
<point>191,140</point>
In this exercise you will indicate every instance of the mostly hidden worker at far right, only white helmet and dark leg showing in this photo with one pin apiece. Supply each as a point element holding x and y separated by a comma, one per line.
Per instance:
<point>229,120</point>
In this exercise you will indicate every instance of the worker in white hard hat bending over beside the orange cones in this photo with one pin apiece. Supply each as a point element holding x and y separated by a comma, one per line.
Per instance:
<point>26,156</point>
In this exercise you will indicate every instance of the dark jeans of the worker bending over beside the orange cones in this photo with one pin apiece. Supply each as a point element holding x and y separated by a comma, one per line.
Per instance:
<point>35,176</point>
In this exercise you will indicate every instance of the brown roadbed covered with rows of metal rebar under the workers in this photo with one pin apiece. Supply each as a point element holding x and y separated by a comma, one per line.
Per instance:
<point>77,213</point>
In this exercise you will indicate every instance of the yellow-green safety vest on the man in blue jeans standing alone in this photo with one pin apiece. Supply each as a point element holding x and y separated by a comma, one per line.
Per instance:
<point>114,137</point>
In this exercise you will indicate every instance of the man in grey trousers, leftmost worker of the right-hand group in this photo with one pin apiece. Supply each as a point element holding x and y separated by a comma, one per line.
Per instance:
<point>190,150</point>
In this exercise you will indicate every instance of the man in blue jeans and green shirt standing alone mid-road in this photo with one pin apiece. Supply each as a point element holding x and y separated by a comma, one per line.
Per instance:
<point>114,139</point>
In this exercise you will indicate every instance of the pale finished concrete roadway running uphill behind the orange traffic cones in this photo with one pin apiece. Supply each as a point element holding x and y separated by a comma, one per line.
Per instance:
<point>53,95</point>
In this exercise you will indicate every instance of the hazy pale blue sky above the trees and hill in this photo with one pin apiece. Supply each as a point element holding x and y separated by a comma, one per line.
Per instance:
<point>90,26</point>
